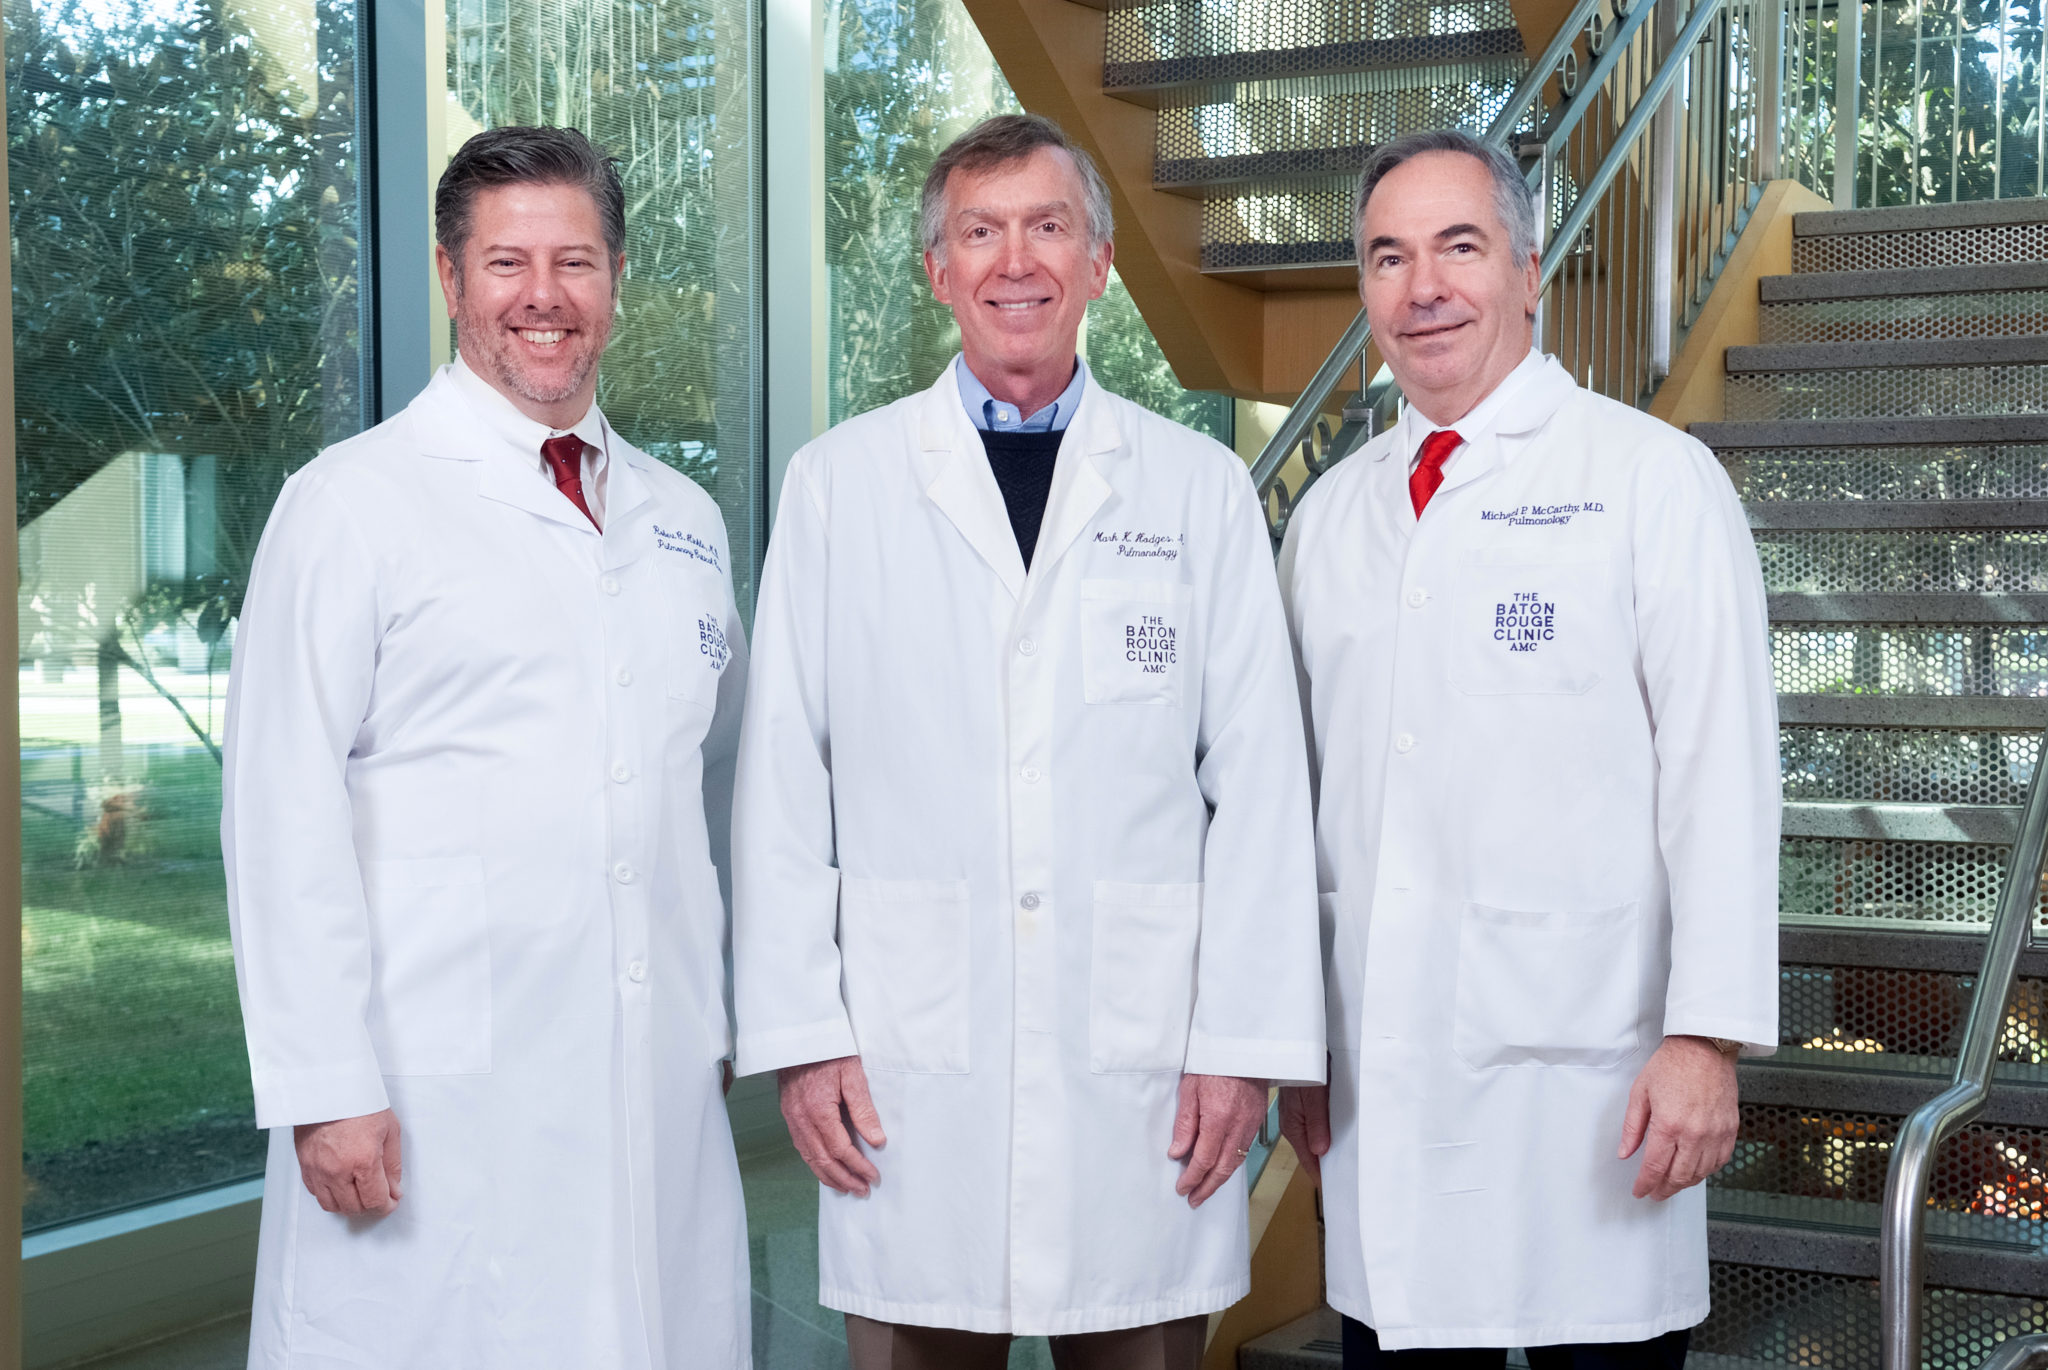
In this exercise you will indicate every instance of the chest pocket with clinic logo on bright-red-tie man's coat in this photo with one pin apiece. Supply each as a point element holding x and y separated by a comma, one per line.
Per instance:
<point>1529,622</point>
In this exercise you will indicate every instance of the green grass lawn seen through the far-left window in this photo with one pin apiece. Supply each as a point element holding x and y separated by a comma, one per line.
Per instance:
<point>130,1017</point>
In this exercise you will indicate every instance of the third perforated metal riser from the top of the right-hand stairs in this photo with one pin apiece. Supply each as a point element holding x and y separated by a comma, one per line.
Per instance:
<point>1883,392</point>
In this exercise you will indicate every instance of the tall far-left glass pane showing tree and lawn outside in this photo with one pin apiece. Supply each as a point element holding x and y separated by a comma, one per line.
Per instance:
<point>183,181</point>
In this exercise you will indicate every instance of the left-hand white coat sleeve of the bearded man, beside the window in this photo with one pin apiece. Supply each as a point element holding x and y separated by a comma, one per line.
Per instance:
<point>300,687</point>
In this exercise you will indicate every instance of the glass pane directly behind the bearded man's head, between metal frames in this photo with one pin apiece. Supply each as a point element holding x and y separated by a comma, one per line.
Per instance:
<point>669,87</point>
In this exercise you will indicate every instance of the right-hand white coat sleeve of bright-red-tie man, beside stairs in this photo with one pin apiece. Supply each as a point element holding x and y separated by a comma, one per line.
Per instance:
<point>1707,673</point>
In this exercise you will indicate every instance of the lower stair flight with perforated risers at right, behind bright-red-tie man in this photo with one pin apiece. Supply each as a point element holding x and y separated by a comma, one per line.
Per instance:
<point>1889,437</point>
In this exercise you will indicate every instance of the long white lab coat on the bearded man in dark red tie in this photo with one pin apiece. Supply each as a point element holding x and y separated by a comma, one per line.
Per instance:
<point>476,779</point>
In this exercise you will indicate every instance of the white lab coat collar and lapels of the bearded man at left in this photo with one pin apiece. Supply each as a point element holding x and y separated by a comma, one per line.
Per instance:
<point>454,425</point>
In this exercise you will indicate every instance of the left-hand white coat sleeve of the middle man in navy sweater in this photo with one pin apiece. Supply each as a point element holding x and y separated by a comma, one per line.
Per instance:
<point>785,865</point>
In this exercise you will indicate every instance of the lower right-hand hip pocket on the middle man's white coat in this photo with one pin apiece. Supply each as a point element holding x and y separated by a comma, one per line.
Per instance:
<point>1142,976</point>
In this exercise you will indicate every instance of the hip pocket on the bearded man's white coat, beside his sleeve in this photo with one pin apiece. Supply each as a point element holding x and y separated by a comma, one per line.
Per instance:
<point>431,966</point>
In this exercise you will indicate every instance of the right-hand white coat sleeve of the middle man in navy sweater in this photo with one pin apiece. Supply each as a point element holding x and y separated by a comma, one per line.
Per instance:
<point>1258,1007</point>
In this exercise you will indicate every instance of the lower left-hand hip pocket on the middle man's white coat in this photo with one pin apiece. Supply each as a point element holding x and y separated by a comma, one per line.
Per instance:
<point>904,961</point>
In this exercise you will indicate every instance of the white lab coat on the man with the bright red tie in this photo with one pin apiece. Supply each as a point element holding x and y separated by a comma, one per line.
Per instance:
<point>1547,839</point>
